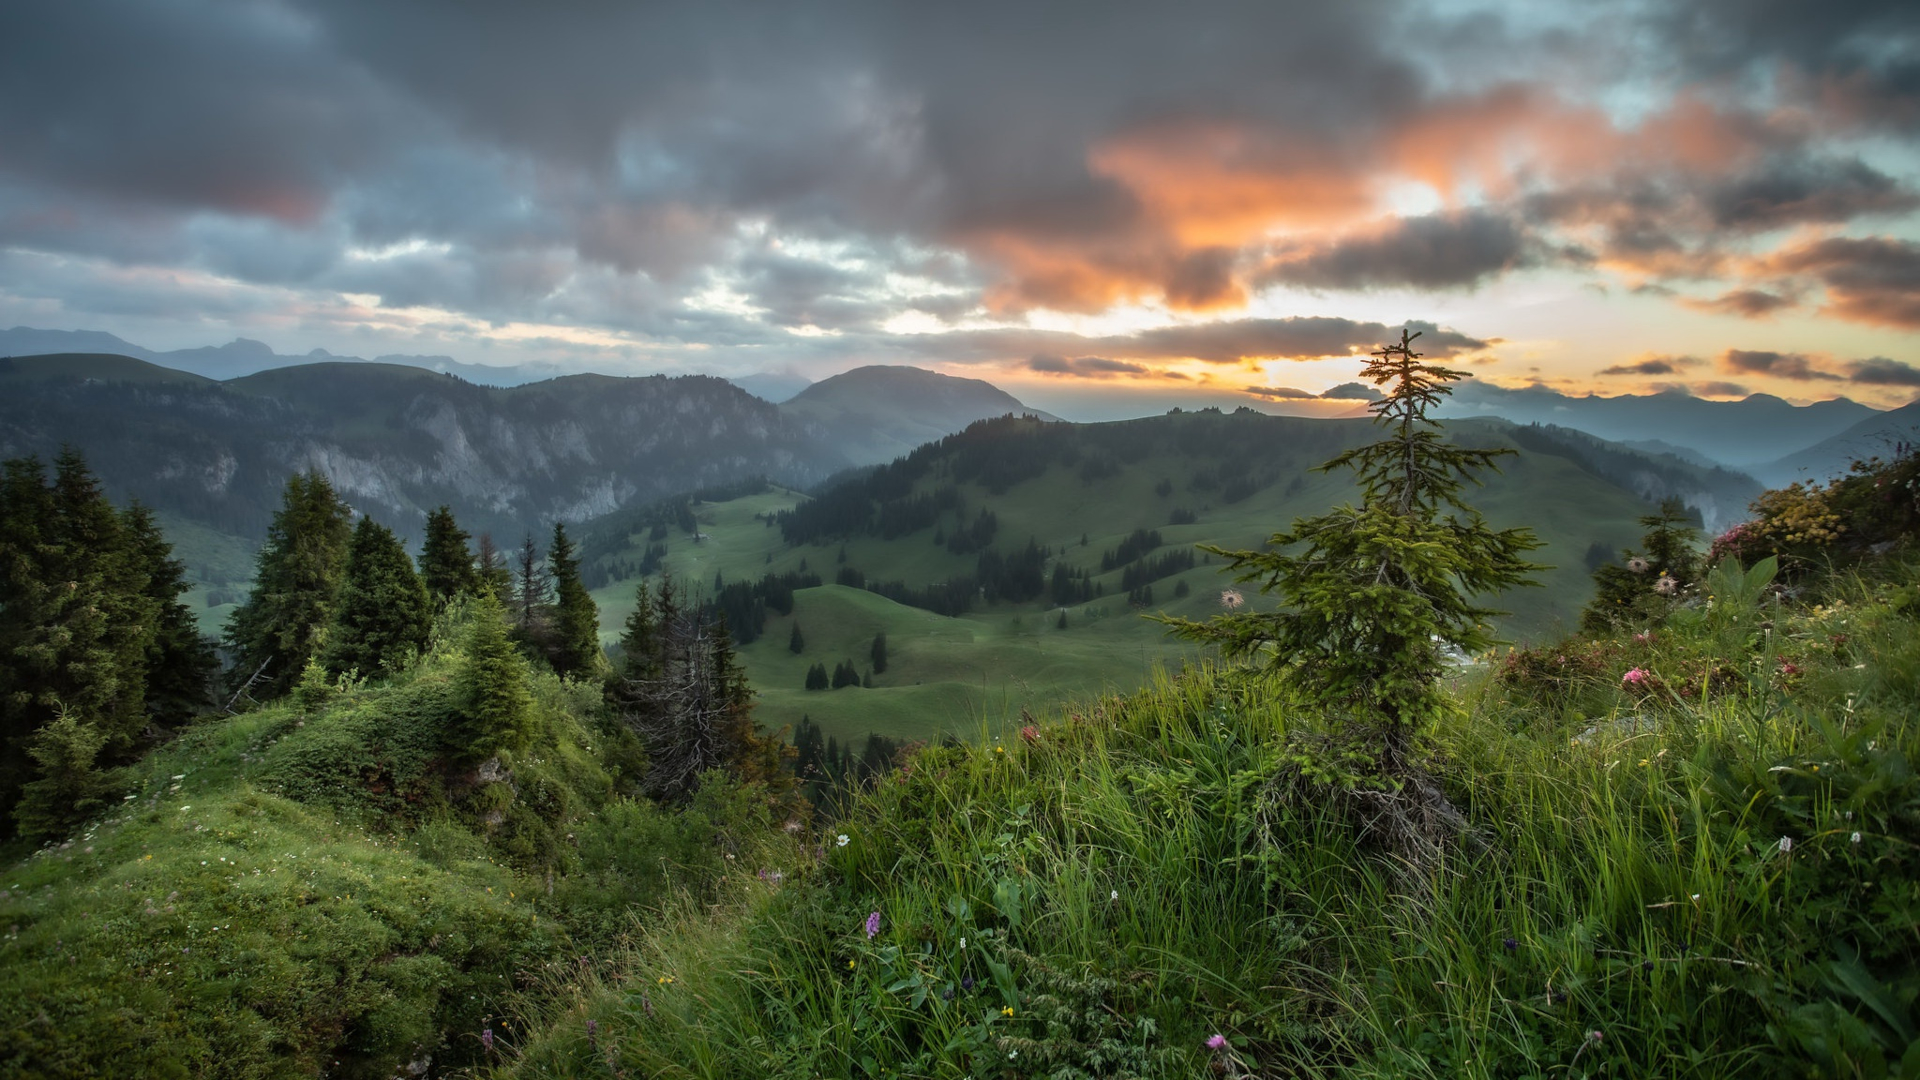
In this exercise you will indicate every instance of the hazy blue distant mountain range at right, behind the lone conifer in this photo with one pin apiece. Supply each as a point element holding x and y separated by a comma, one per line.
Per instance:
<point>1731,433</point>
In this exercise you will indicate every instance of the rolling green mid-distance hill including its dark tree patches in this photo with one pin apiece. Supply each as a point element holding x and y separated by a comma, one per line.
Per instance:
<point>1093,526</point>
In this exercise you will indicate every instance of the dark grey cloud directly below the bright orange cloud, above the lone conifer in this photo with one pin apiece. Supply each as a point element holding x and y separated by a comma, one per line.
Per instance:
<point>1439,251</point>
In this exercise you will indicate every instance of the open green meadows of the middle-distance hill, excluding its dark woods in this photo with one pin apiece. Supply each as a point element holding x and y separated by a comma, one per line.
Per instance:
<point>1078,491</point>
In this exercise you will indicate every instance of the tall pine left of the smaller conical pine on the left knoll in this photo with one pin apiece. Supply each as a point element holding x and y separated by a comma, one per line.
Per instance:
<point>295,581</point>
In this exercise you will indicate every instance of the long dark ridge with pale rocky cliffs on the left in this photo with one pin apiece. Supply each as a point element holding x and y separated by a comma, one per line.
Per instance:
<point>398,441</point>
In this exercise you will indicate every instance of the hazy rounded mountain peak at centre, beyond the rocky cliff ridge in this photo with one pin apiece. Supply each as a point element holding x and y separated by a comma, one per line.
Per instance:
<point>878,414</point>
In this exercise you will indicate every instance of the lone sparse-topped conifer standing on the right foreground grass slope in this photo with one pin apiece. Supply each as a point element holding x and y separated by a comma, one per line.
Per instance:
<point>1372,595</point>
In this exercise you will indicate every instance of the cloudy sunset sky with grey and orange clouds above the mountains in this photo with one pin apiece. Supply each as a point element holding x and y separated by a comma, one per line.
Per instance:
<point>1099,207</point>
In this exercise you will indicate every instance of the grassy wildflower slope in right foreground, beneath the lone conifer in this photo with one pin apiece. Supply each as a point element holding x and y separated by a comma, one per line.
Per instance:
<point>1704,871</point>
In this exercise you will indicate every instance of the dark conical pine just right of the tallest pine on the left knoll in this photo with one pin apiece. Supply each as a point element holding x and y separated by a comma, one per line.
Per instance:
<point>383,612</point>
